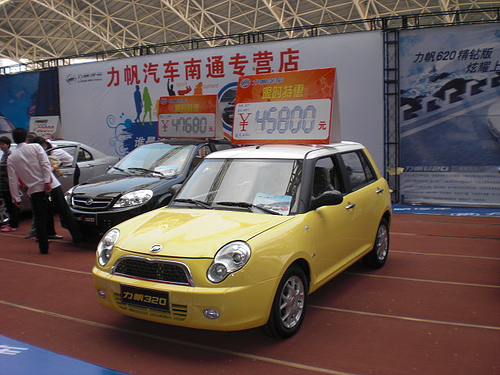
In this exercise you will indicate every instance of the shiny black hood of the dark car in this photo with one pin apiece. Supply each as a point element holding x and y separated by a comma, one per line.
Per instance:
<point>112,185</point>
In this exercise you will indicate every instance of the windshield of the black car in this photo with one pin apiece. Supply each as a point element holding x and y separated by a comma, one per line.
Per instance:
<point>157,158</point>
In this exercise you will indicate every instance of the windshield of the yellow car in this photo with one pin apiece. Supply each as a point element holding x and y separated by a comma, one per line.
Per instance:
<point>259,185</point>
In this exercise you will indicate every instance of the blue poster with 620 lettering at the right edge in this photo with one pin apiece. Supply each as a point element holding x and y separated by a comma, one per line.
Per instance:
<point>450,115</point>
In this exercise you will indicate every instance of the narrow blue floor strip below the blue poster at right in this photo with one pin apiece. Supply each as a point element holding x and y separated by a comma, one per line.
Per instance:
<point>443,210</point>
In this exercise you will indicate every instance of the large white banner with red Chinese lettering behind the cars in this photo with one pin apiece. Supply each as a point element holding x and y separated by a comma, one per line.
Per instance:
<point>114,105</point>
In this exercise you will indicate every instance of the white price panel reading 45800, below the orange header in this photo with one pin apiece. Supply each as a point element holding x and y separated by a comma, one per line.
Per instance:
<point>291,119</point>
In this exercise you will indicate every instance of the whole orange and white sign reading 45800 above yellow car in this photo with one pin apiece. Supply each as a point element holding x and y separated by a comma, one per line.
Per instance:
<point>289,107</point>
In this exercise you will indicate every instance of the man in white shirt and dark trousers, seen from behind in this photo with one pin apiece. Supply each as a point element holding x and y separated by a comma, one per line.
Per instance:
<point>30,164</point>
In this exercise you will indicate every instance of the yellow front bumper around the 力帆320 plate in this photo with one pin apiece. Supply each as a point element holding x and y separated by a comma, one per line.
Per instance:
<point>238,307</point>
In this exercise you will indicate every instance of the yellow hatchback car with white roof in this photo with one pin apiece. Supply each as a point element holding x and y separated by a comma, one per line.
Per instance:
<point>247,238</point>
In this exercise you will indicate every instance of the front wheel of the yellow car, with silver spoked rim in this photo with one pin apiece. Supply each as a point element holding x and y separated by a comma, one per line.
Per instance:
<point>289,305</point>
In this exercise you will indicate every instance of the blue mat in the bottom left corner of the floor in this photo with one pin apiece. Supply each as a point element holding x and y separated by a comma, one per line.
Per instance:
<point>17,358</point>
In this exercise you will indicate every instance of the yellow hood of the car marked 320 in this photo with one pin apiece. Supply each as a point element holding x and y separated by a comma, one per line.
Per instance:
<point>192,233</point>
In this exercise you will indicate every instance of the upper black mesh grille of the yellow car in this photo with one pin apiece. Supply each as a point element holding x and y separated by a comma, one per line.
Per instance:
<point>153,270</point>
